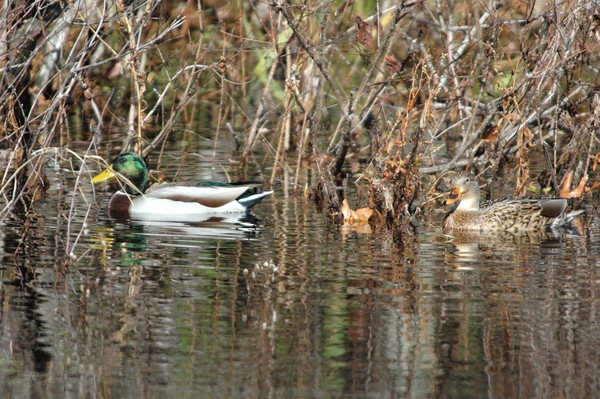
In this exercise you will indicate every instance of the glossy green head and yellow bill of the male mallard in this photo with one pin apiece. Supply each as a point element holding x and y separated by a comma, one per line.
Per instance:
<point>130,168</point>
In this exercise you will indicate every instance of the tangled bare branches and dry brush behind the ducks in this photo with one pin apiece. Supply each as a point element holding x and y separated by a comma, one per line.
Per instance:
<point>387,96</point>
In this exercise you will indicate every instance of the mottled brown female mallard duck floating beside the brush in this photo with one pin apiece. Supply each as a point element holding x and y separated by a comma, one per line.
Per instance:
<point>504,215</point>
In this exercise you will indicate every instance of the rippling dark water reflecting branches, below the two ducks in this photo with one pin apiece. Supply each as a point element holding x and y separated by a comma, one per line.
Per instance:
<point>283,304</point>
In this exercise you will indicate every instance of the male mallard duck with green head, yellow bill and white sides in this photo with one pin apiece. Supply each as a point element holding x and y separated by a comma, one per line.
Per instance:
<point>171,202</point>
